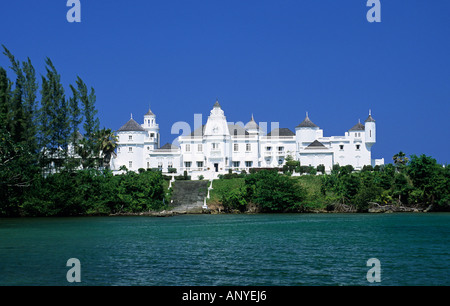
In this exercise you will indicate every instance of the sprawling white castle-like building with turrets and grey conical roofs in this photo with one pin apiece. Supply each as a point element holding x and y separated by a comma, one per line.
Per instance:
<point>218,146</point>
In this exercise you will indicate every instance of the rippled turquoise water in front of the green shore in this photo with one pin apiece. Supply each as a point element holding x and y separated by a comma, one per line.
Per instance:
<point>196,250</point>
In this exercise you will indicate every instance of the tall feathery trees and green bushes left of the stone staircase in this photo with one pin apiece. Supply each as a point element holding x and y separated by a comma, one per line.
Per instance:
<point>48,167</point>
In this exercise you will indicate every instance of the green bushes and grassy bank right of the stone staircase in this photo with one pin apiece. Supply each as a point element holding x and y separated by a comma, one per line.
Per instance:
<point>418,181</point>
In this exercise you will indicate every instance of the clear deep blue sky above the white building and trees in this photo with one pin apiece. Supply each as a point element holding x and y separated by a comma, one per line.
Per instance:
<point>276,59</point>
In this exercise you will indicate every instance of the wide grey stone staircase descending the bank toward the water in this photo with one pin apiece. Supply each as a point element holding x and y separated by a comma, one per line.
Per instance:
<point>189,196</point>
